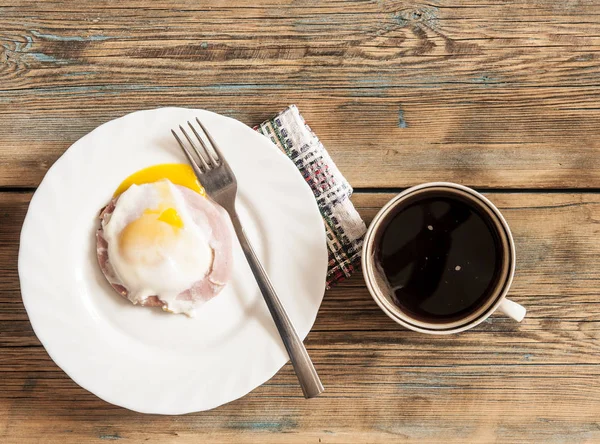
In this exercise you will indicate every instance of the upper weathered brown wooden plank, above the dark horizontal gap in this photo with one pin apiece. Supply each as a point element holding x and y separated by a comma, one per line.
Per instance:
<point>501,95</point>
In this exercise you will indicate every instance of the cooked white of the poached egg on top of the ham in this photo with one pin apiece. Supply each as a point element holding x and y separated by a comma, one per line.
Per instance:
<point>163,260</point>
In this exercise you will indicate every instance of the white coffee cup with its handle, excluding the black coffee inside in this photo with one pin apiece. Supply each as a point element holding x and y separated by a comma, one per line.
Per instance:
<point>382,294</point>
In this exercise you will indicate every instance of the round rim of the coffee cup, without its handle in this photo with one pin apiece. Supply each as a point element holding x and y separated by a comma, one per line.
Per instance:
<point>393,311</point>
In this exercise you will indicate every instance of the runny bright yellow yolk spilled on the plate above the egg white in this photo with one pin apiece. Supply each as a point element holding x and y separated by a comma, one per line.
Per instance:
<point>178,173</point>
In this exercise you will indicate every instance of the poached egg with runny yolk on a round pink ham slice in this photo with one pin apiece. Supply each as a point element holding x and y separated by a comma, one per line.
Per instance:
<point>165,244</point>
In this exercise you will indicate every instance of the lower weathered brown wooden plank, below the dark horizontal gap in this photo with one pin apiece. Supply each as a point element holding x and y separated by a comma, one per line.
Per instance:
<point>501,382</point>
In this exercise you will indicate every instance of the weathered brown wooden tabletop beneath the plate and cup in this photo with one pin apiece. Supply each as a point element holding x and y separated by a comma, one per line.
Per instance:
<point>501,96</point>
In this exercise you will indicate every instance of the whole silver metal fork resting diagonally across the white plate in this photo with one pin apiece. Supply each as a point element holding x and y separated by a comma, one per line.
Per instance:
<point>220,184</point>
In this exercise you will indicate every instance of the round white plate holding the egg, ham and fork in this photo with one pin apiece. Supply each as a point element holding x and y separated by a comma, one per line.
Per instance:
<point>144,359</point>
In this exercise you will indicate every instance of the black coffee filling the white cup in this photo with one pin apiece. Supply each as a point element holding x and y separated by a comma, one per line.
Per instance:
<point>442,256</point>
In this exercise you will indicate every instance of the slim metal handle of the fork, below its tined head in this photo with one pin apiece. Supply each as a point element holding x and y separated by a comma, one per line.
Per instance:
<point>303,366</point>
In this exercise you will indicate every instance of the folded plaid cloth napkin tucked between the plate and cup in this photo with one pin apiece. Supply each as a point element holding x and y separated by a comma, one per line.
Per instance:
<point>344,227</point>
